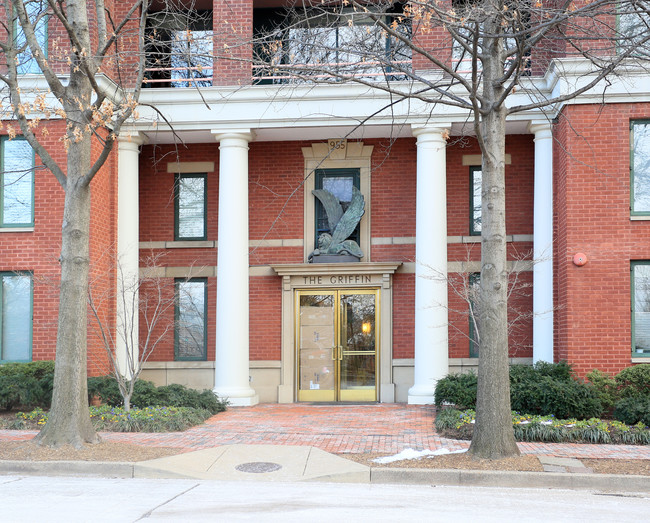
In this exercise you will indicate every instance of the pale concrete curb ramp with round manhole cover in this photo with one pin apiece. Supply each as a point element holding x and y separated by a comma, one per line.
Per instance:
<point>249,462</point>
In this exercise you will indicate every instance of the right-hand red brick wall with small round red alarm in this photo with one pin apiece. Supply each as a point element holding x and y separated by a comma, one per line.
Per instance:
<point>592,207</point>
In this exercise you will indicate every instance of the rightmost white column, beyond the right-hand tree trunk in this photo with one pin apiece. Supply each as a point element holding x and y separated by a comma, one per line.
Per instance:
<point>543,243</point>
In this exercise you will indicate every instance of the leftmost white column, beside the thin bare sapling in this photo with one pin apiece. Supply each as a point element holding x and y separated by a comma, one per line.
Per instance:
<point>128,254</point>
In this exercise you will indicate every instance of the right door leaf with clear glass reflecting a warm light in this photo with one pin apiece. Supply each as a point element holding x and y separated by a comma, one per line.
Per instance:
<point>358,343</point>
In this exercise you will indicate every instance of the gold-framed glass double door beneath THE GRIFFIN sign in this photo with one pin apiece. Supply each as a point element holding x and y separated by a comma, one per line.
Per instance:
<point>337,341</point>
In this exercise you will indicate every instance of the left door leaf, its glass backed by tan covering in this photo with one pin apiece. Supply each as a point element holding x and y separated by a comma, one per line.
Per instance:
<point>317,347</point>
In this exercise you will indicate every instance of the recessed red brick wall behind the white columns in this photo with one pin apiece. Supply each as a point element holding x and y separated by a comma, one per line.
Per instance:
<point>276,170</point>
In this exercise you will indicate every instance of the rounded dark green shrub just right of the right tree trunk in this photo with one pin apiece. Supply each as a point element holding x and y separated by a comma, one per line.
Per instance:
<point>563,399</point>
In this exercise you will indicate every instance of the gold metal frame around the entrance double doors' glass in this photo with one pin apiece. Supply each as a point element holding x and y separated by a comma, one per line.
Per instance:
<point>337,350</point>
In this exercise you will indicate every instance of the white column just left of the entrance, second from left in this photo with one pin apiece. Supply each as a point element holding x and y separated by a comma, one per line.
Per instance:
<point>232,350</point>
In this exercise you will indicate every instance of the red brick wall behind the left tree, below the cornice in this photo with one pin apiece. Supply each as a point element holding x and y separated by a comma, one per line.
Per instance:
<point>38,251</point>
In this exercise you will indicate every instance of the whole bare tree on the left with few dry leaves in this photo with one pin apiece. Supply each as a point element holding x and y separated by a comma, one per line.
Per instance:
<point>82,73</point>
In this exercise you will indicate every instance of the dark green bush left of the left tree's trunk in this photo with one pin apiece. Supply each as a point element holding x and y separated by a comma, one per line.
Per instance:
<point>26,384</point>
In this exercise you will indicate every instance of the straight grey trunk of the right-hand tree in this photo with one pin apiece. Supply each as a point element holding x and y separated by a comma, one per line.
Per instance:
<point>493,436</point>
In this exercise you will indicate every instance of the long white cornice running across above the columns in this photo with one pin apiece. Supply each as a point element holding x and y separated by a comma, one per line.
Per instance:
<point>303,112</point>
